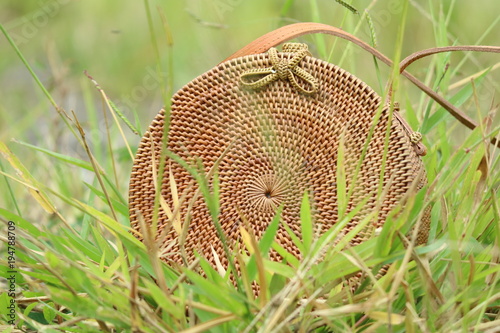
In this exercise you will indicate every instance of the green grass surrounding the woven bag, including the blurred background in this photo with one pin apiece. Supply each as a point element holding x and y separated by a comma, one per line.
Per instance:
<point>66,150</point>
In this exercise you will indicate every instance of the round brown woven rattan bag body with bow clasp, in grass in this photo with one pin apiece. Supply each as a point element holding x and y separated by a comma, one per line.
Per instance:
<point>270,126</point>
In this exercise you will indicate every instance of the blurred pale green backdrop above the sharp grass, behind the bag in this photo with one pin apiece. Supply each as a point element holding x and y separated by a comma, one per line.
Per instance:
<point>112,41</point>
